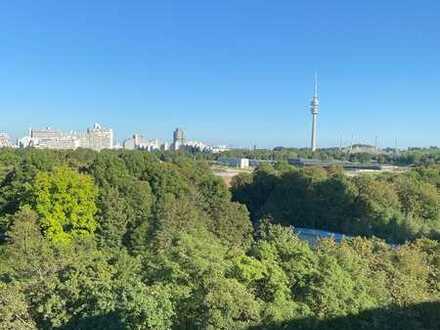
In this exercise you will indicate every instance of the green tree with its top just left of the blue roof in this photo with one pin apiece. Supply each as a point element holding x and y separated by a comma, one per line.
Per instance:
<point>287,266</point>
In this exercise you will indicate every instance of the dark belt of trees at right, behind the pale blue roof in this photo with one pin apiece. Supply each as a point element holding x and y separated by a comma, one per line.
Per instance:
<point>395,207</point>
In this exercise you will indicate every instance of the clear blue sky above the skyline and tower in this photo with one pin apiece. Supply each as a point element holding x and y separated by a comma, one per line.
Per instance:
<point>238,72</point>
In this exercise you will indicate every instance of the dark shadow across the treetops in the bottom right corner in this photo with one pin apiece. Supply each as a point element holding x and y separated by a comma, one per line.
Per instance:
<point>424,316</point>
